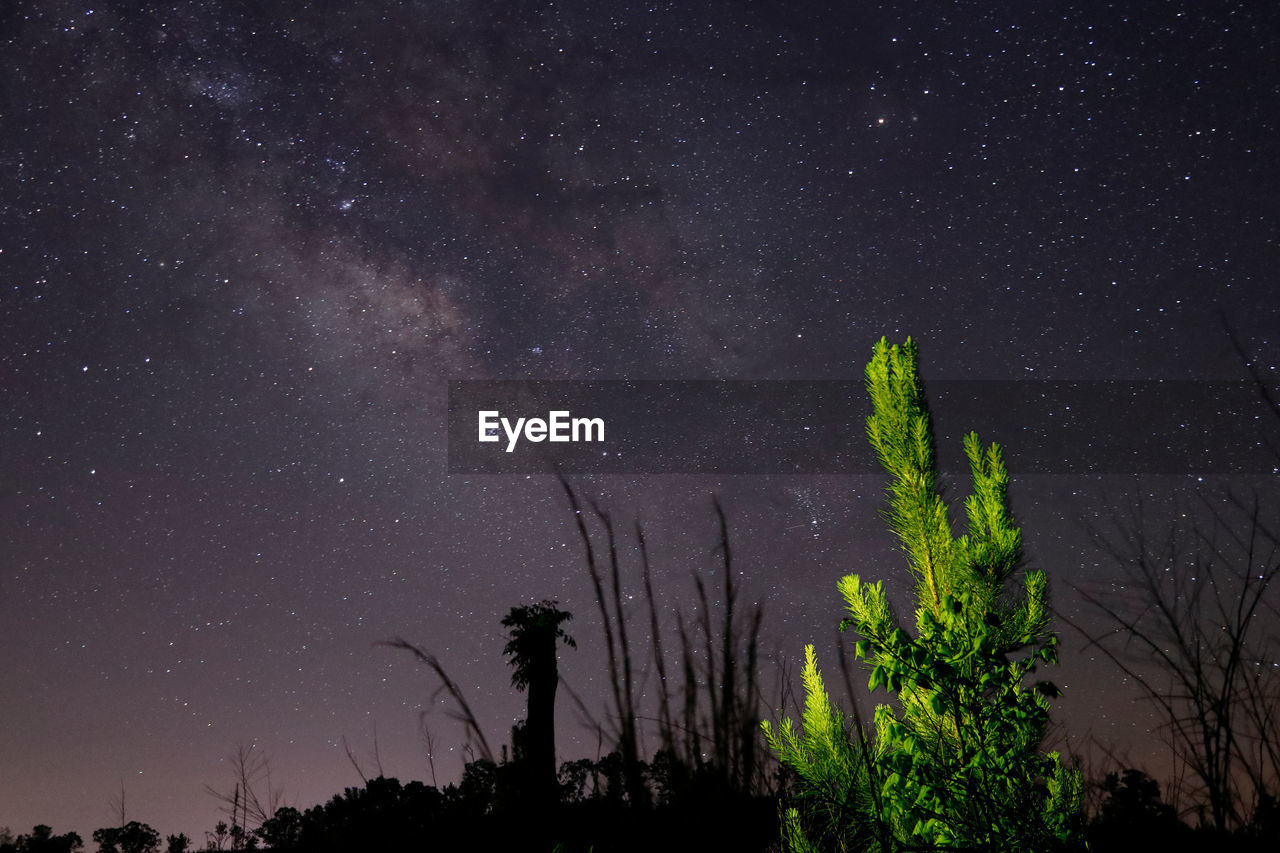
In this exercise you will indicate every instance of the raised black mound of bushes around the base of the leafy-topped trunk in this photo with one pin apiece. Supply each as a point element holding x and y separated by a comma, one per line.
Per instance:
<point>490,810</point>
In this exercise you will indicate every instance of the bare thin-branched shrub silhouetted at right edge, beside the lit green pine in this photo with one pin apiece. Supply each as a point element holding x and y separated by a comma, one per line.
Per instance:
<point>1194,627</point>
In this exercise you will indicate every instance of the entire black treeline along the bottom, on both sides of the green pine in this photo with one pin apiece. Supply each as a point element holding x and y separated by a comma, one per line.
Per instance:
<point>688,811</point>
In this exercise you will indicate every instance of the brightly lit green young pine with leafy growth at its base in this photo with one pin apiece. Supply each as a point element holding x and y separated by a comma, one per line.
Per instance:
<point>954,764</point>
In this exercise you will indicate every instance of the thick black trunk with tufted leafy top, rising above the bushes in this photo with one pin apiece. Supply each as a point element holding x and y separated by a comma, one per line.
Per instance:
<point>534,632</point>
